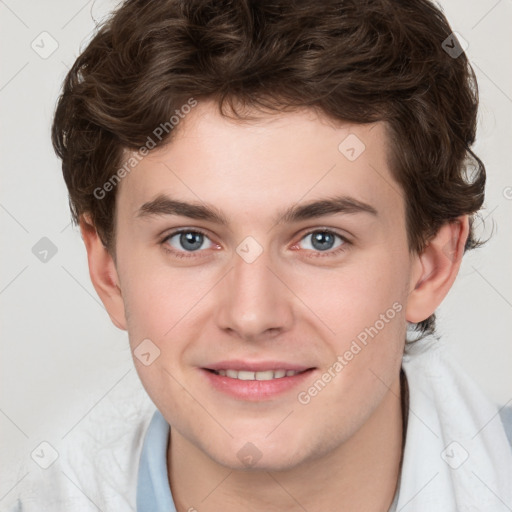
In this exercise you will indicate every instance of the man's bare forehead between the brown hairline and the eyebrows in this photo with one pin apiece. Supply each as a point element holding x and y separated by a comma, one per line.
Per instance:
<point>264,164</point>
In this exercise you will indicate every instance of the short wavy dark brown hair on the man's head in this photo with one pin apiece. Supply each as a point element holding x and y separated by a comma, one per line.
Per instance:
<point>355,61</point>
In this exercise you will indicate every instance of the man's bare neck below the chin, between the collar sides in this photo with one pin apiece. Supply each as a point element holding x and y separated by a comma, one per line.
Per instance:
<point>361,474</point>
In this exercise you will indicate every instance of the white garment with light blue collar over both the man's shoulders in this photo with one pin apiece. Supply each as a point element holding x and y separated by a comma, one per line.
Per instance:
<point>457,453</point>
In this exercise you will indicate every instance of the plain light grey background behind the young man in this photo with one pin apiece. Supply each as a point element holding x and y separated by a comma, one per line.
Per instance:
<point>60,354</point>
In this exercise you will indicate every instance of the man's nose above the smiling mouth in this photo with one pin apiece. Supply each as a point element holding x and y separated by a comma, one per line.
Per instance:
<point>255,302</point>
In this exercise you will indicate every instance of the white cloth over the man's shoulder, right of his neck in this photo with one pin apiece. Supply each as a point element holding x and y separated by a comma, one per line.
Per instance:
<point>457,456</point>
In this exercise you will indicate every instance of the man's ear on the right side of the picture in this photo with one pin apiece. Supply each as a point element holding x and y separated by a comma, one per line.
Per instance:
<point>436,269</point>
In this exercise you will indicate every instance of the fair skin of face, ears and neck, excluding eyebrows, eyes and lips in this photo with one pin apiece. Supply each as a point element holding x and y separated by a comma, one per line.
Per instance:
<point>294,303</point>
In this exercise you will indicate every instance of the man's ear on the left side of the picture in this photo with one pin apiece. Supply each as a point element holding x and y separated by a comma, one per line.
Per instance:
<point>103,273</point>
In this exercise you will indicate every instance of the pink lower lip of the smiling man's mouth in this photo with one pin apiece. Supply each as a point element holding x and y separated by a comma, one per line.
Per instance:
<point>255,390</point>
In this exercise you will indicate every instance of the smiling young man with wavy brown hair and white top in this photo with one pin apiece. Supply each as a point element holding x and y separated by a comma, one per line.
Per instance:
<point>273,195</point>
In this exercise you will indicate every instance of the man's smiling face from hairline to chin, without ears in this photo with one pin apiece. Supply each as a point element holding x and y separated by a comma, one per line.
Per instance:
<point>252,276</point>
